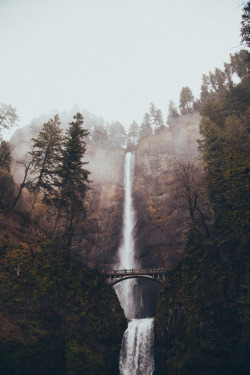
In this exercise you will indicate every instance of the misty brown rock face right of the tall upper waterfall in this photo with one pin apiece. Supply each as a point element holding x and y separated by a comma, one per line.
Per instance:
<point>161,220</point>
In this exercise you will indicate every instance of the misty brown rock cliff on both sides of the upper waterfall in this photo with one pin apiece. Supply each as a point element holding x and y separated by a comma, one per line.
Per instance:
<point>160,218</point>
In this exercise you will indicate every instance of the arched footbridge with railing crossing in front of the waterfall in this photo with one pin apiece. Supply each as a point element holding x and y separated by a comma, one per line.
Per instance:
<point>116,276</point>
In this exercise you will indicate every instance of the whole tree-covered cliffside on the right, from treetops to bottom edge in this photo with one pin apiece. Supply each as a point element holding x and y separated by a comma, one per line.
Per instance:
<point>202,320</point>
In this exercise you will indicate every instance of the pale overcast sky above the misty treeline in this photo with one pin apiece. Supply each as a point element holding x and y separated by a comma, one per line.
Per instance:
<point>110,57</point>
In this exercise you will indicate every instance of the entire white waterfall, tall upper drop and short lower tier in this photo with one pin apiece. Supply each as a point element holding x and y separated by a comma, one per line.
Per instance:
<point>136,356</point>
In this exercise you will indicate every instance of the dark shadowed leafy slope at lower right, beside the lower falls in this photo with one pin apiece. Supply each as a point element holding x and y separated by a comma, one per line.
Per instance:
<point>202,324</point>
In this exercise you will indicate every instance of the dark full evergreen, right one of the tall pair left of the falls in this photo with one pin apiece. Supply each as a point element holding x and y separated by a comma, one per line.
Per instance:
<point>73,180</point>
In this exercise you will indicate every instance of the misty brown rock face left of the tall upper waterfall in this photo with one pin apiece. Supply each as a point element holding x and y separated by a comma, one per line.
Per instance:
<point>103,226</point>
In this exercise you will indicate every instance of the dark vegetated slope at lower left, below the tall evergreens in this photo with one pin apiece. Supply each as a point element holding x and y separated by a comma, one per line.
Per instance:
<point>57,316</point>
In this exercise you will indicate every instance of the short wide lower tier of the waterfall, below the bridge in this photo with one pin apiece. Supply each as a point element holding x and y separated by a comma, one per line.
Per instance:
<point>137,357</point>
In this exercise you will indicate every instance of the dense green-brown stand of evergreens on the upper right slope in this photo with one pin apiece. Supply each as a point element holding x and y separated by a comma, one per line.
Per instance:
<point>225,149</point>
